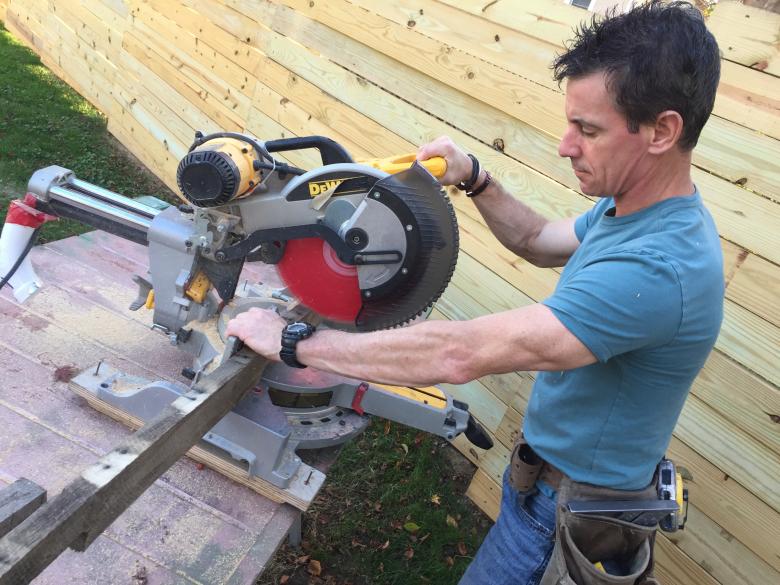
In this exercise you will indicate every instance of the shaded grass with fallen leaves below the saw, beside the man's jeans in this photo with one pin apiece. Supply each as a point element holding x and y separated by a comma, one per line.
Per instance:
<point>393,511</point>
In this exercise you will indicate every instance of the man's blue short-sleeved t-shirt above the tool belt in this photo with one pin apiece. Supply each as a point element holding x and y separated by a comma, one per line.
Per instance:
<point>644,292</point>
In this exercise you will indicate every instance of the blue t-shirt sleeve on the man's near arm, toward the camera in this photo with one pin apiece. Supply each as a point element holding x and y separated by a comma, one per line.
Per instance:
<point>620,303</point>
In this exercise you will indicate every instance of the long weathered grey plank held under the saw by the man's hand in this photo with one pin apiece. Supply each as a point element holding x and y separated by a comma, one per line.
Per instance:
<point>104,490</point>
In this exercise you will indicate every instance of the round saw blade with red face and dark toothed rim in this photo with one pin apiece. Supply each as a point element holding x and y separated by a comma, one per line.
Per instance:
<point>331,288</point>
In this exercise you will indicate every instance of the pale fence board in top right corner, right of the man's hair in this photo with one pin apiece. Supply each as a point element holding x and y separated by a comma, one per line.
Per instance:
<point>747,35</point>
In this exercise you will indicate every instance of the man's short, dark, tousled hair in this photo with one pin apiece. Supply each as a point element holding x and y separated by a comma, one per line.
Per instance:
<point>656,57</point>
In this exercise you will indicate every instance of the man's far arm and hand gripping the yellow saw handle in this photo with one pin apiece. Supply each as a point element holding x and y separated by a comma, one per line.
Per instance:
<point>517,226</point>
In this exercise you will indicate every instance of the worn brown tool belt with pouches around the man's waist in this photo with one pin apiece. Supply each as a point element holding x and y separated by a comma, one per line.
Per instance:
<point>582,542</point>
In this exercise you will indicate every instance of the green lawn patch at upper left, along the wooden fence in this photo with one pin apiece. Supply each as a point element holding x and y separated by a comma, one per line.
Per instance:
<point>44,122</point>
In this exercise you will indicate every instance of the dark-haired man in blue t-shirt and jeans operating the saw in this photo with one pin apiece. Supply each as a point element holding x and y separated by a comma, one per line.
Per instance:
<point>638,306</point>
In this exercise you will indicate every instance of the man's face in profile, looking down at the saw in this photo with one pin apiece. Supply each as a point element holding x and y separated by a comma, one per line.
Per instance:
<point>606,158</point>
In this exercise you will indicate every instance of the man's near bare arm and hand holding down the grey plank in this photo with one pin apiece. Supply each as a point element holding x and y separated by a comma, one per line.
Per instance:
<point>529,338</point>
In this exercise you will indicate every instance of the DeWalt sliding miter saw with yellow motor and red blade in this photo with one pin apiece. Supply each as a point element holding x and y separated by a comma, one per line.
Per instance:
<point>362,246</point>
